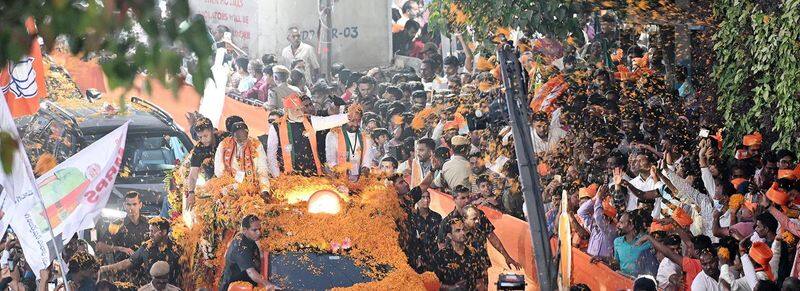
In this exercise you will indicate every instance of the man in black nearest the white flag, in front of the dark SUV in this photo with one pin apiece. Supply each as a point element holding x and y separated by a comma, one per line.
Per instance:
<point>125,235</point>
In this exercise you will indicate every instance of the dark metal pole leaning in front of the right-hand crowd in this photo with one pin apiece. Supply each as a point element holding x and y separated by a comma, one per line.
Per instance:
<point>515,80</point>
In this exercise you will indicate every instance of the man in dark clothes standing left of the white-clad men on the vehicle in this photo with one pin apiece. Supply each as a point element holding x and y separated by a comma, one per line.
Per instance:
<point>202,156</point>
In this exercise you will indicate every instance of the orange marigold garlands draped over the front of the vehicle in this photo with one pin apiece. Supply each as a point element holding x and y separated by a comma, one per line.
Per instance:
<point>368,223</point>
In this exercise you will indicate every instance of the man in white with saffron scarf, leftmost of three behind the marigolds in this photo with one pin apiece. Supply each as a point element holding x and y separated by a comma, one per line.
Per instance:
<point>242,158</point>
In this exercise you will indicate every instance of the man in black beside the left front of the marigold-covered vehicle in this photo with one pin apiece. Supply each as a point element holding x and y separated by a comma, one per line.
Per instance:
<point>243,258</point>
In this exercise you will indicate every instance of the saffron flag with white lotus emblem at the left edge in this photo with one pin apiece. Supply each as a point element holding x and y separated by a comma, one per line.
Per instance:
<point>22,82</point>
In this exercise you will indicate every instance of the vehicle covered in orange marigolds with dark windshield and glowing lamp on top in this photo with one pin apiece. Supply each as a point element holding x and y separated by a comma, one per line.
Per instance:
<point>318,232</point>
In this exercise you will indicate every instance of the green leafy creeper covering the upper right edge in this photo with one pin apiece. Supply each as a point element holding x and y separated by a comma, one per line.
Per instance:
<point>757,70</point>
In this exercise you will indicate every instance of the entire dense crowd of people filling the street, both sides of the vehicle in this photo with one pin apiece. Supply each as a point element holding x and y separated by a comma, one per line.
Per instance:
<point>652,192</point>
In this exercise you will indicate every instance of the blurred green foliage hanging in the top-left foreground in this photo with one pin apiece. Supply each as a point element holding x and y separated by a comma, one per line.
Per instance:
<point>131,35</point>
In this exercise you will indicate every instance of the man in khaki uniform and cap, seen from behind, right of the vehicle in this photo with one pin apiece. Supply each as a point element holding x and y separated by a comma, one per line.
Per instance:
<point>457,170</point>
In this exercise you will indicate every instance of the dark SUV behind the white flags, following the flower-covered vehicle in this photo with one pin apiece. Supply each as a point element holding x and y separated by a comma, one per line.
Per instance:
<point>155,143</point>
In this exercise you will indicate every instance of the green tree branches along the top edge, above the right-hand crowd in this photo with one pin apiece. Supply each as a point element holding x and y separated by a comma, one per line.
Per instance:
<point>556,19</point>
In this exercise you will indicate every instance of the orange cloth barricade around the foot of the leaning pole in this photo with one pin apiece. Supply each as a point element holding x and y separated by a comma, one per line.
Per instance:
<point>516,238</point>
